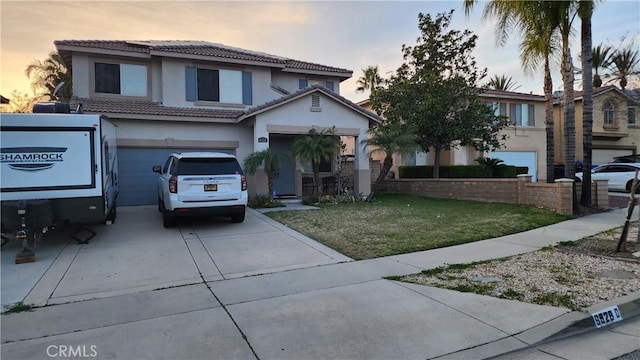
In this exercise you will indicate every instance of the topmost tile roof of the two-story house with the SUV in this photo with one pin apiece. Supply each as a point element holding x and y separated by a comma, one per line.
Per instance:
<point>199,48</point>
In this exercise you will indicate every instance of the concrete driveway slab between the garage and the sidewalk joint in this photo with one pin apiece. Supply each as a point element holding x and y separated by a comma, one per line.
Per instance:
<point>136,254</point>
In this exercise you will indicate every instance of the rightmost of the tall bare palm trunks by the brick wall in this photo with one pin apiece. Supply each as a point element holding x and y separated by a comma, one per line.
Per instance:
<point>587,112</point>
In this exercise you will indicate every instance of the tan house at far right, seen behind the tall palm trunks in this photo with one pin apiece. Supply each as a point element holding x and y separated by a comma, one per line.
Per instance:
<point>616,130</point>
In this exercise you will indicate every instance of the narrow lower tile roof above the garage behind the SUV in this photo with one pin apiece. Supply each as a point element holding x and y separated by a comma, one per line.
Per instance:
<point>142,107</point>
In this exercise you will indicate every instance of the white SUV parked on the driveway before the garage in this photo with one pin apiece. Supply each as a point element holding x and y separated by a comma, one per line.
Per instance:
<point>201,184</point>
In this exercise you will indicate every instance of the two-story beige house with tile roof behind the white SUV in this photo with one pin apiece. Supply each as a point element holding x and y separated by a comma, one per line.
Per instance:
<point>167,96</point>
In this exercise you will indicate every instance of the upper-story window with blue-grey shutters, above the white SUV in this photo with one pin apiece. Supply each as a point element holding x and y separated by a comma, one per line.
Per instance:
<point>218,85</point>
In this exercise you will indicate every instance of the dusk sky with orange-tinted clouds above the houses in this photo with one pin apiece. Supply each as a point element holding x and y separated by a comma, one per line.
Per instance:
<point>351,35</point>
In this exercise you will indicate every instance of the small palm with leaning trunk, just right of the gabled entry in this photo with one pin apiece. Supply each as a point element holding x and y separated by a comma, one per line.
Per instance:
<point>389,138</point>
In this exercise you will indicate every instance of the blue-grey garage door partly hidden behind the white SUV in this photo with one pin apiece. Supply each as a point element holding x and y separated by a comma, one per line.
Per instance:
<point>136,180</point>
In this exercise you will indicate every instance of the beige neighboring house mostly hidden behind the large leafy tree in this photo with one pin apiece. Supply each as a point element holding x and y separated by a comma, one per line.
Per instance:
<point>526,138</point>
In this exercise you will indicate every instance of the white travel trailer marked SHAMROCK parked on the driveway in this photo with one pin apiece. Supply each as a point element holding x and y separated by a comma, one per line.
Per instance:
<point>55,168</point>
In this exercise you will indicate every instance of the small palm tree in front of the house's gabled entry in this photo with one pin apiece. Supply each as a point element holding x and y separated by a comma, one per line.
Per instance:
<point>316,147</point>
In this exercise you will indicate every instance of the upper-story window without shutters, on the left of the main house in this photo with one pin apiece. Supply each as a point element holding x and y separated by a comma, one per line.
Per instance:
<point>120,79</point>
